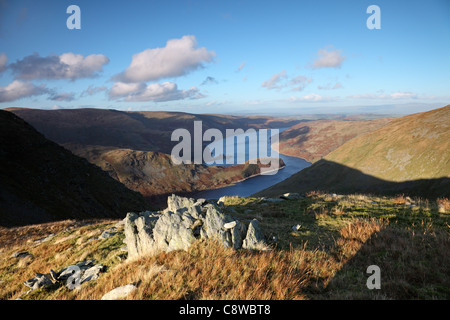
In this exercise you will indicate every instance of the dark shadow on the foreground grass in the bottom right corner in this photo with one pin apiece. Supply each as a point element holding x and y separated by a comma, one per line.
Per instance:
<point>413,265</point>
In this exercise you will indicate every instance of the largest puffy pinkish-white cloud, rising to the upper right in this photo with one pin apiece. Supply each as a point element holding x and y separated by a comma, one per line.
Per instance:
<point>177,58</point>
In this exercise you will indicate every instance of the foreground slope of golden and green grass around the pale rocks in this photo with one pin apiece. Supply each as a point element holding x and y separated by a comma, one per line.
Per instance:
<point>326,259</point>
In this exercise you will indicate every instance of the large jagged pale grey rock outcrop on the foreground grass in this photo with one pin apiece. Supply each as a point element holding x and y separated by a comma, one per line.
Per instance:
<point>183,222</point>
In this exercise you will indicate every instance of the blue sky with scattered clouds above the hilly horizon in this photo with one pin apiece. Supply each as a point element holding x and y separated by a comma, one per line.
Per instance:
<point>239,57</point>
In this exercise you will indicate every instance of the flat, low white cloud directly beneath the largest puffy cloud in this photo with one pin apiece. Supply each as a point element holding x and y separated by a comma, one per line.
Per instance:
<point>157,92</point>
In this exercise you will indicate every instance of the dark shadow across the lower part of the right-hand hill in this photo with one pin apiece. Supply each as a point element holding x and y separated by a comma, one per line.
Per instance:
<point>332,177</point>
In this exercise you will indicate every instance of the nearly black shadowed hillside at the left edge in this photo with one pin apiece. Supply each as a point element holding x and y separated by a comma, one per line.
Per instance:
<point>41,181</point>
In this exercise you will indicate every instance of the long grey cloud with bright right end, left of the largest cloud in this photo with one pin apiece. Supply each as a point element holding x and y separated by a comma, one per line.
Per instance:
<point>66,66</point>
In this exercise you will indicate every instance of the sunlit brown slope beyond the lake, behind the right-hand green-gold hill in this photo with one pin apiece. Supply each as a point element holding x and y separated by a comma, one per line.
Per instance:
<point>312,140</point>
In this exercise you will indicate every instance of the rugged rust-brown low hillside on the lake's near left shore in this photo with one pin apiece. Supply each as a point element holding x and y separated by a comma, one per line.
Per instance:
<point>154,175</point>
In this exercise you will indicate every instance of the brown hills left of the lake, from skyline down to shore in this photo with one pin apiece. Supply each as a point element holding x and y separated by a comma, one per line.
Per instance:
<point>134,147</point>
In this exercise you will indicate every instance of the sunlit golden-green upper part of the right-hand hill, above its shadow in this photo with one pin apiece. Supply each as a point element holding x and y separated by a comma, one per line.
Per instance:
<point>409,148</point>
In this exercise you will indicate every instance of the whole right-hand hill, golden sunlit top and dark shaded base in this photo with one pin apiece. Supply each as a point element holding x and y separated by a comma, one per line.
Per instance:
<point>409,155</point>
